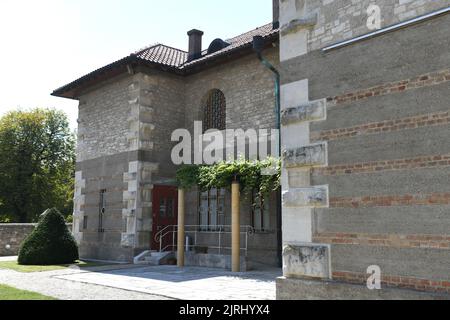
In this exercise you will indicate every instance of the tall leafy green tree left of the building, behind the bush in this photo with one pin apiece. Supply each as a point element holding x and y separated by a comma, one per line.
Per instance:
<point>37,164</point>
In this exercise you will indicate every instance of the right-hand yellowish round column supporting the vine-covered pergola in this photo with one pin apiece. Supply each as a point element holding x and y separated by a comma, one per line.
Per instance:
<point>236,227</point>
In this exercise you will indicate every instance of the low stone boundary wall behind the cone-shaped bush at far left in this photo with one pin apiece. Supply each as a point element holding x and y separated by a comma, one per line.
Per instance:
<point>12,235</point>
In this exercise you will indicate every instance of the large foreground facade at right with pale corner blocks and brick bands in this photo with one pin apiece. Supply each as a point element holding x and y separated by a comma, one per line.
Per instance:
<point>386,140</point>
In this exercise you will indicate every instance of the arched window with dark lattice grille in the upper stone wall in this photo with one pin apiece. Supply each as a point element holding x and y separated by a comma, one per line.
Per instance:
<point>214,111</point>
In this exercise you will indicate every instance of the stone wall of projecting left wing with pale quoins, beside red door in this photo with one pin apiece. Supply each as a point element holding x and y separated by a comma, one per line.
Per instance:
<point>124,148</point>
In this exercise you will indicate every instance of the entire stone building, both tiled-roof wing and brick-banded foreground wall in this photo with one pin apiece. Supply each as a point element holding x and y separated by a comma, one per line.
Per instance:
<point>364,128</point>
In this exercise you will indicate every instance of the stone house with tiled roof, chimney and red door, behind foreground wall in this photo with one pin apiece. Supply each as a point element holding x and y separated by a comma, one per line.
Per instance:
<point>125,179</point>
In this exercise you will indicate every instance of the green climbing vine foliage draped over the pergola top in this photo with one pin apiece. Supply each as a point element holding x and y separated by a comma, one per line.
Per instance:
<point>222,174</point>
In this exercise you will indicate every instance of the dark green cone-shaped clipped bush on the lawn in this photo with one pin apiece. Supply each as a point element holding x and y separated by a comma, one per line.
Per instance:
<point>50,243</point>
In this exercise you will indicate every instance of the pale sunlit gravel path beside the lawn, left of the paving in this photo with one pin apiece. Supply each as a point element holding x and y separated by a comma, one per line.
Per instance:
<point>46,283</point>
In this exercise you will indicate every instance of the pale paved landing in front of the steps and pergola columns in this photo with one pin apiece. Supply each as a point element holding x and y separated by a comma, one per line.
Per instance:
<point>189,283</point>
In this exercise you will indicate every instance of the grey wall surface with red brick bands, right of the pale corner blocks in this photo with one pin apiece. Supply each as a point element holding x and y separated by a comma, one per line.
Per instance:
<point>388,166</point>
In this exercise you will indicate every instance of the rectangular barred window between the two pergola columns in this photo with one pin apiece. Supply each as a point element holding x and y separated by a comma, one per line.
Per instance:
<point>211,209</point>
